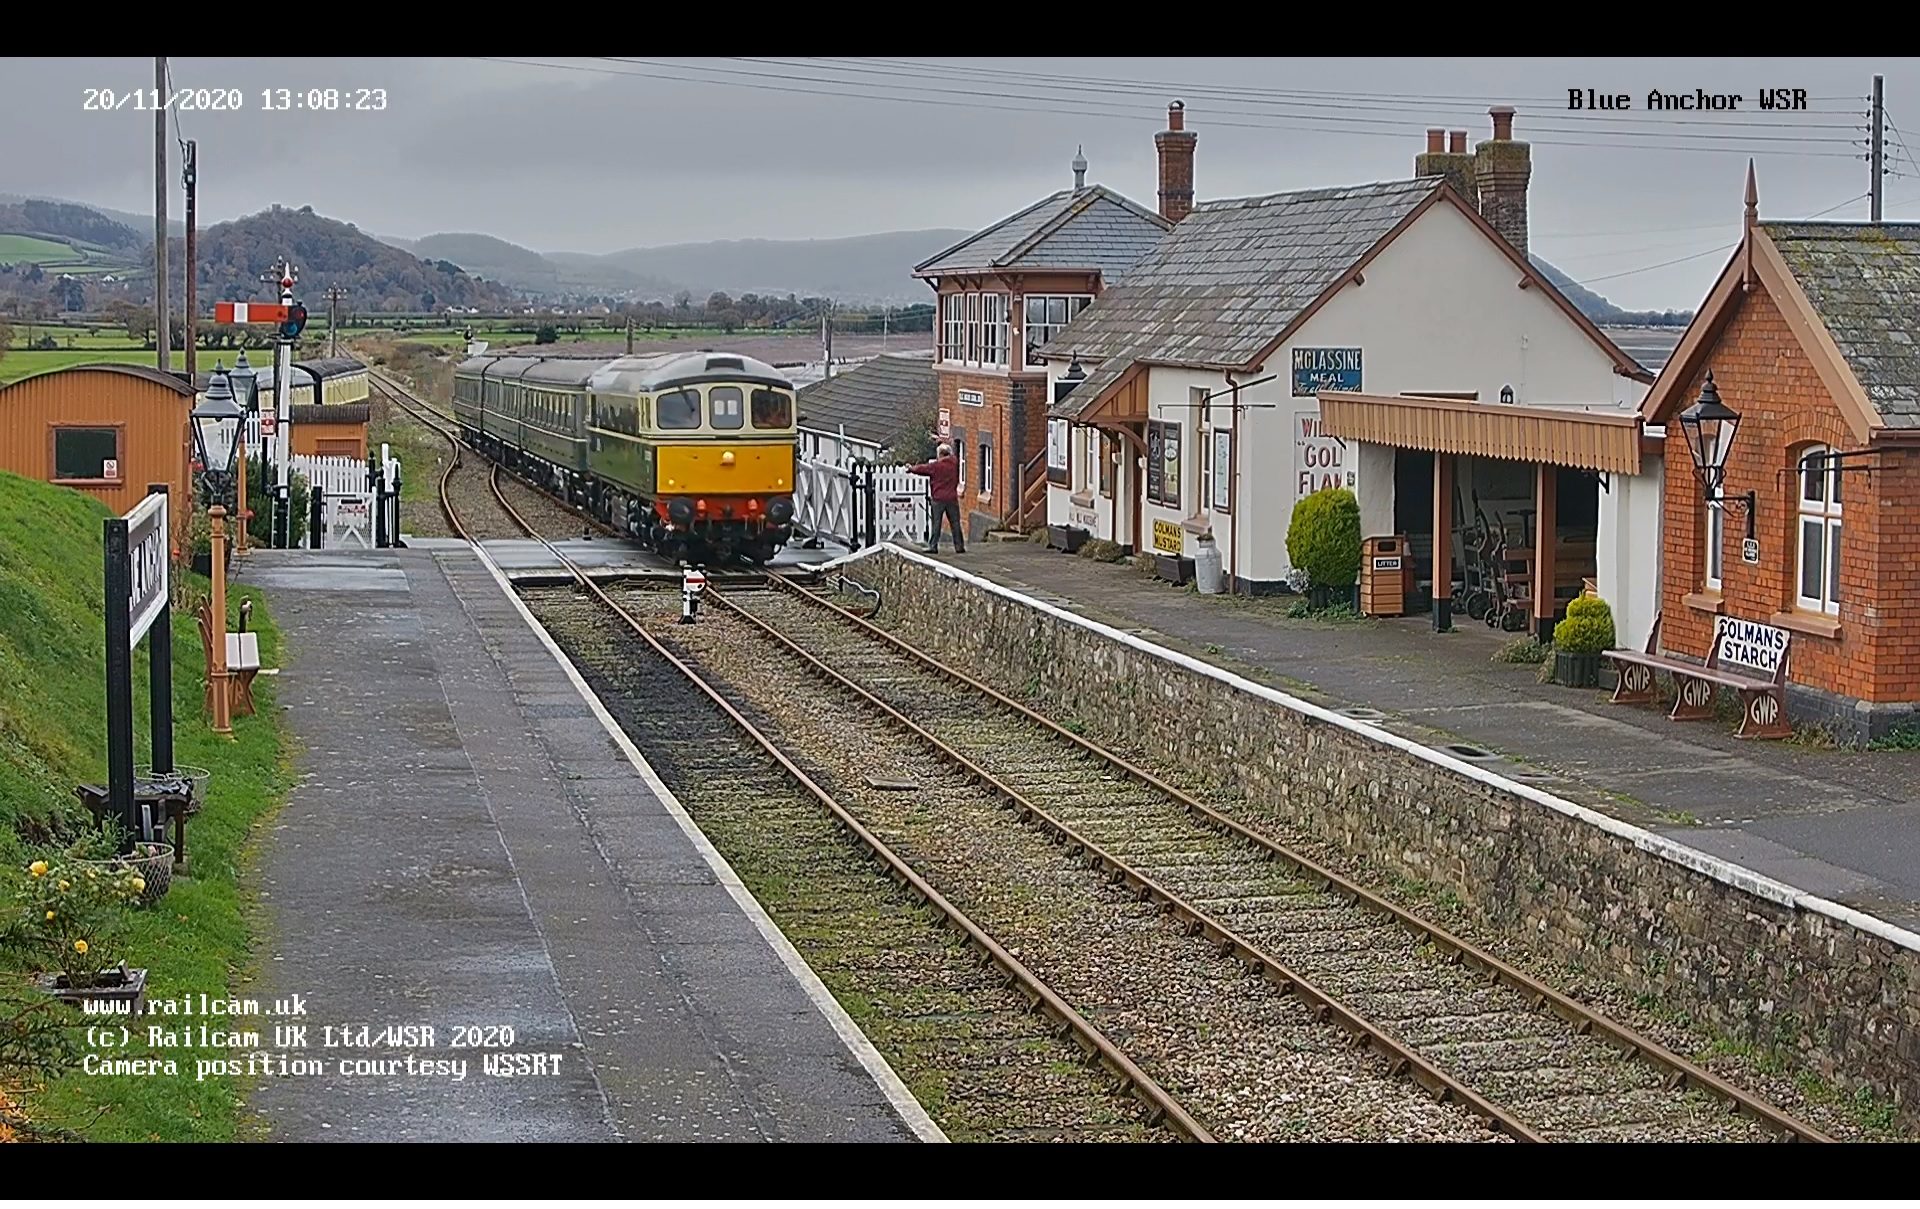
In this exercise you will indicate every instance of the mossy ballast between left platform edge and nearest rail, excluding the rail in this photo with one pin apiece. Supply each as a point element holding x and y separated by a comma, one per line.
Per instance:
<point>965,1041</point>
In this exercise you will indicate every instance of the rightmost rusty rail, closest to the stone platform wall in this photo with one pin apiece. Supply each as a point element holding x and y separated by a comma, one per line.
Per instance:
<point>1585,1020</point>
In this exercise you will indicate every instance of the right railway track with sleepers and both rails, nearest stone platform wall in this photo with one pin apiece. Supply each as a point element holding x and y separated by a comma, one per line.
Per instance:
<point>1456,1020</point>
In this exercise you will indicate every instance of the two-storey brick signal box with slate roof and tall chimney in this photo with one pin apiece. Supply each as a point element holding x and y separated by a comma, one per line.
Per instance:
<point>1007,291</point>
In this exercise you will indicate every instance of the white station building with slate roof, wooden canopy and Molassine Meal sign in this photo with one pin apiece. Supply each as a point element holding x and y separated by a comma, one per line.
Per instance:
<point>1391,339</point>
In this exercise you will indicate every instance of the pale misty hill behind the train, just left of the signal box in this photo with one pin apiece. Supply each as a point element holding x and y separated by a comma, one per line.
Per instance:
<point>875,268</point>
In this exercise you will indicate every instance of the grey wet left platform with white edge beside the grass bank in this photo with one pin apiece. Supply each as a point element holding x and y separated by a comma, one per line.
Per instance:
<point>469,847</point>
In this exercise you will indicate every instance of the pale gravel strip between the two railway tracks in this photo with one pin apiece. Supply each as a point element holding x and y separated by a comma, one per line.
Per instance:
<point>1245,1058</point>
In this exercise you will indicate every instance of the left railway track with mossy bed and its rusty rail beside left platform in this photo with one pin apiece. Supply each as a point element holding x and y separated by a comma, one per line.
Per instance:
<point>1013,1058</point>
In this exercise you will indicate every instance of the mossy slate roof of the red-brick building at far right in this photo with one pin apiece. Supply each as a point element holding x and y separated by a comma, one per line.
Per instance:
<point>1863,281</point>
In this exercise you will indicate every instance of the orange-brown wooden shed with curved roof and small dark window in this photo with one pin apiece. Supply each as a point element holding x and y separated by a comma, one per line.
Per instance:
<point>107,431</point>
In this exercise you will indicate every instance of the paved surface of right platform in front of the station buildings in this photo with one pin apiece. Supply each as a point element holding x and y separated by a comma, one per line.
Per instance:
<point>1838,824</point>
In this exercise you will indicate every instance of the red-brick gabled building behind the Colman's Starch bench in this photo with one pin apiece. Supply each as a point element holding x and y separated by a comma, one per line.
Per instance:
<point>1813,341</point>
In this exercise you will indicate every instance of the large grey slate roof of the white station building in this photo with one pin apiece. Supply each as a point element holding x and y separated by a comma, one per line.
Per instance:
<point>1230,279</point>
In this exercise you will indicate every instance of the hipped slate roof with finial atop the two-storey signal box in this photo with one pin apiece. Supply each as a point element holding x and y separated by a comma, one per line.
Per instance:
<point>1072,229</point>
